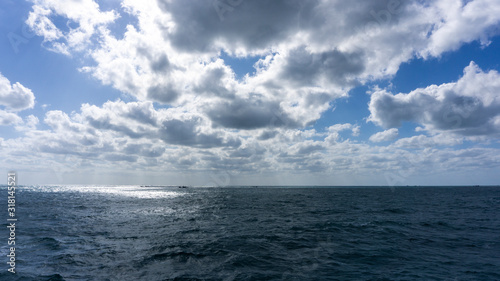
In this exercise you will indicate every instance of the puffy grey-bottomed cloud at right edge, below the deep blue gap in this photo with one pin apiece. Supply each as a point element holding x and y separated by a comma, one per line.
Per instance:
<point>469,107</point>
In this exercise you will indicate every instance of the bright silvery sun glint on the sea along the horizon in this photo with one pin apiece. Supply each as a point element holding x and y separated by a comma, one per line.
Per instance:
<point>134,191</point>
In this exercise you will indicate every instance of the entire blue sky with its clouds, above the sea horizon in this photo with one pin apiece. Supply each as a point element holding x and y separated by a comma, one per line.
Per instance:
<point>250,92</point>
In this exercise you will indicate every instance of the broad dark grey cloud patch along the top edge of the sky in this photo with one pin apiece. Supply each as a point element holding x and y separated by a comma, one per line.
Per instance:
<point>258,24</point>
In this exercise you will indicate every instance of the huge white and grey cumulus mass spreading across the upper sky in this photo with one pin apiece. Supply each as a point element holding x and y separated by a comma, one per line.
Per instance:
<point>308,58</point>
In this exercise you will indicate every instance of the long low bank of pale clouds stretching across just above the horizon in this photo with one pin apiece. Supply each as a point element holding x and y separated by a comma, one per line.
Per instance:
<point>177,143</point>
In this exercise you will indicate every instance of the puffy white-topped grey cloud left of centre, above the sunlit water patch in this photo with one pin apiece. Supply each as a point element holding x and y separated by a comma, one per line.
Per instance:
<point>138,126</point>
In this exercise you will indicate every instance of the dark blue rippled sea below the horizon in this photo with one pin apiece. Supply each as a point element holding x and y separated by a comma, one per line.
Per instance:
<point>254,233</point>
